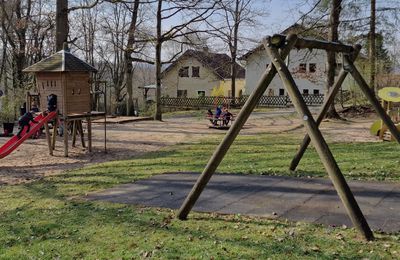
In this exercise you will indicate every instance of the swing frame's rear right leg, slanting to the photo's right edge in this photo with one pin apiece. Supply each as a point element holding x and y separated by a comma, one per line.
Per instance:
<point>369,93</point>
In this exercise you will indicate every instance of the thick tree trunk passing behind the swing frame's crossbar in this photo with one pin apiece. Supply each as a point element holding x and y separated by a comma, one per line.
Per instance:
<point>333,36</point>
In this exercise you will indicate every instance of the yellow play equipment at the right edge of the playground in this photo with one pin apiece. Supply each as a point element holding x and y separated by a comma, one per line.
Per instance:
<point>389,96</point>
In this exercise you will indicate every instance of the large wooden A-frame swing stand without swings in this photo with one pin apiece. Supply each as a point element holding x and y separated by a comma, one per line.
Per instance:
<point>278,48</point>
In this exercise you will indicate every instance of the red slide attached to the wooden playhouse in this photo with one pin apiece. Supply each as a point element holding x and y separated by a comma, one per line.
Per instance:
<point>14,142</point>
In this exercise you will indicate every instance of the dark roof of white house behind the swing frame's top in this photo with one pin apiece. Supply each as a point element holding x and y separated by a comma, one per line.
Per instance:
<point>296,29</point>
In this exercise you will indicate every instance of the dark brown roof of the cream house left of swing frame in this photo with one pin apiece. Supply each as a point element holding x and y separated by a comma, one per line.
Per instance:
<point>217,62</point>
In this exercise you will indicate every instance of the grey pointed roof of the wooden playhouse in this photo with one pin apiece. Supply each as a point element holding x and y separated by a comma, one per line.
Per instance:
<point>60,62</point>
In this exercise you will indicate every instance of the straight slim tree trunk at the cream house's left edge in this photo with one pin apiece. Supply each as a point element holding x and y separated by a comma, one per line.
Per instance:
<point>158,114</point>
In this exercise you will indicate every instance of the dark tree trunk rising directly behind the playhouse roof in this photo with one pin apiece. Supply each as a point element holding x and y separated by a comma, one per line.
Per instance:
<point>62,27</point>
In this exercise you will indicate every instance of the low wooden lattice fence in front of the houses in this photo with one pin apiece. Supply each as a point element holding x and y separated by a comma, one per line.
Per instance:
<point>210,102</point>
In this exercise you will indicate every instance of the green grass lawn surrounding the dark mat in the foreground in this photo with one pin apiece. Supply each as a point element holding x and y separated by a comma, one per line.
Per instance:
<point>48,220</point>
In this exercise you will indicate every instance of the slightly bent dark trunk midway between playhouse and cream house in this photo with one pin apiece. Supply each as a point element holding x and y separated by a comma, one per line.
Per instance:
<point>128,59</point>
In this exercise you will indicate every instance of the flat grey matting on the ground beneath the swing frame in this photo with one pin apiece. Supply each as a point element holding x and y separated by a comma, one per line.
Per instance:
<point>296,199</point>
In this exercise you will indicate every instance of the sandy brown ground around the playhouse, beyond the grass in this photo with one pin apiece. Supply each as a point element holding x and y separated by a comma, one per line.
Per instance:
<point>31,160</point>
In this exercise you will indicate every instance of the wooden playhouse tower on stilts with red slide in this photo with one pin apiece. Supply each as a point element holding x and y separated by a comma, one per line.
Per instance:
<point>66,76</point>
